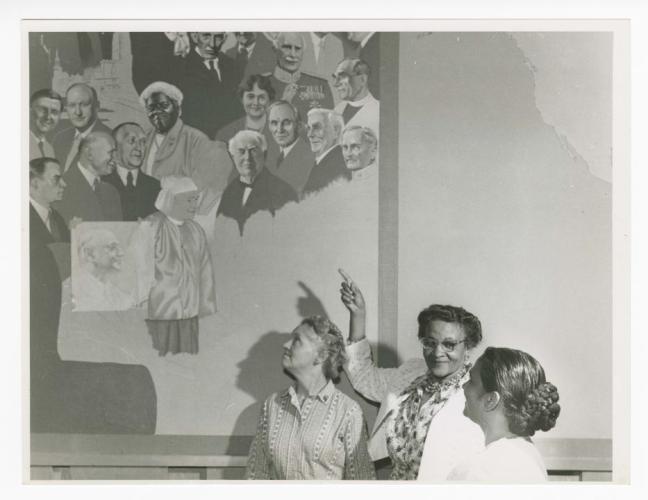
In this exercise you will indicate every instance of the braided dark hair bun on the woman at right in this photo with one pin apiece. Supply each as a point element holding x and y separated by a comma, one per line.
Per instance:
<point>540,410</point>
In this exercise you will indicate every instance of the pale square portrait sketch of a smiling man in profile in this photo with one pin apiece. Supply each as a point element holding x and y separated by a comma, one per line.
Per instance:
<point>111,265</point>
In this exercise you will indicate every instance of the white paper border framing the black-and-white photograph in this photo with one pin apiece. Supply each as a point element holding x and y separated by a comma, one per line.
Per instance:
<point>621,204</point>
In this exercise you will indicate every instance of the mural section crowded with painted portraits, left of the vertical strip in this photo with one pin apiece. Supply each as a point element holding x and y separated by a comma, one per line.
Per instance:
<point>200,175</point>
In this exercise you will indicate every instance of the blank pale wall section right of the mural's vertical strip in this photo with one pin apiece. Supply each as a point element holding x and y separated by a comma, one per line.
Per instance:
<point>497,214</point>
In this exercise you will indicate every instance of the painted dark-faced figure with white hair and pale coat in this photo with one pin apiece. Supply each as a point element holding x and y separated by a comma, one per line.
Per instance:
<point>174,148</point>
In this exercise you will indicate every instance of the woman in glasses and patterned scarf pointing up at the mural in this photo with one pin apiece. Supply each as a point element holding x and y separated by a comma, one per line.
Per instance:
<point>420,425</point>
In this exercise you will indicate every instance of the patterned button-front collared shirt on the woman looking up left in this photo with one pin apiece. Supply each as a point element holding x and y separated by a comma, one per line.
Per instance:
<point>324,437</point>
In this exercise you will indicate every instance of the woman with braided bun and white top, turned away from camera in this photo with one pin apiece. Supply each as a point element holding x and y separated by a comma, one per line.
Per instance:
<point>508,395</point>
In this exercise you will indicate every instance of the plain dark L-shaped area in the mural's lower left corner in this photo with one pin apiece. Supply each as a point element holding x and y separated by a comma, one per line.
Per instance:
<point>78,397</point>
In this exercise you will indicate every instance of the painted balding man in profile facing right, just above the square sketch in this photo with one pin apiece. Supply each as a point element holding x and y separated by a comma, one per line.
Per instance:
<point>87,196</point>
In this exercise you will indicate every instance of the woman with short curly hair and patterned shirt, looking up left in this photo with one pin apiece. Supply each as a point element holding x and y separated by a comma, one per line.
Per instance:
<point>311,430</point>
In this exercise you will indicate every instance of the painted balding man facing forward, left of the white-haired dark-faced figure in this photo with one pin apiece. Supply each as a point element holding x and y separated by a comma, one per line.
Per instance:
<point>82,106</point>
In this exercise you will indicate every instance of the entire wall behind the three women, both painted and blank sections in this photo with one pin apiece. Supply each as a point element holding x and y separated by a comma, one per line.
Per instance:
<point>492,206</point>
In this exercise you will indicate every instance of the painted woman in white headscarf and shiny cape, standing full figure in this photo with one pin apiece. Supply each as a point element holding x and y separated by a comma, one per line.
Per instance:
<point>184,281</point>
